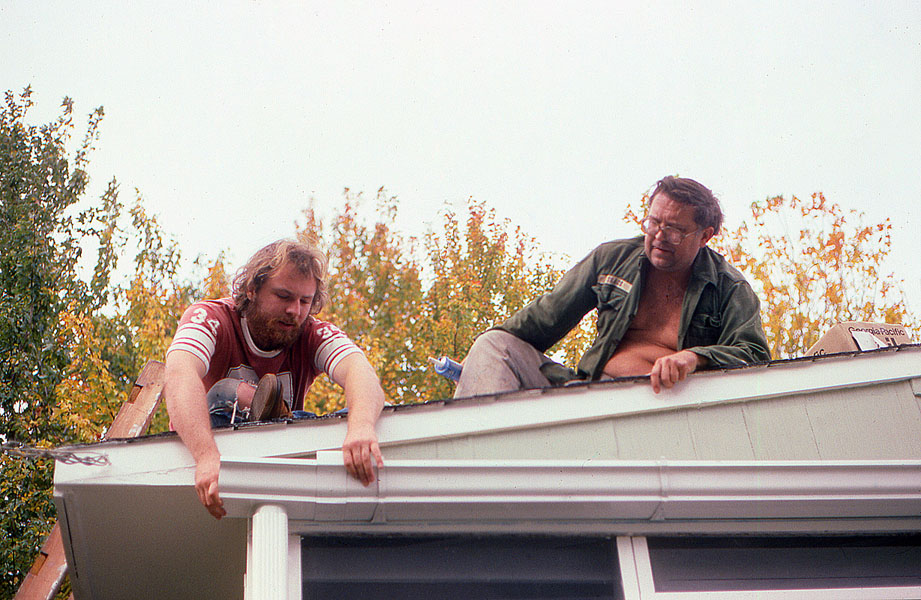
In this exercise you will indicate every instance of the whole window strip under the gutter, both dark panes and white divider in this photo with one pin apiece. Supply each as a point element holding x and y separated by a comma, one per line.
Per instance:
<point>462,566</point>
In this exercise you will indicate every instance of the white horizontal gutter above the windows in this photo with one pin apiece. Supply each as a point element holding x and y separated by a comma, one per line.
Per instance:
<point>634,496</point>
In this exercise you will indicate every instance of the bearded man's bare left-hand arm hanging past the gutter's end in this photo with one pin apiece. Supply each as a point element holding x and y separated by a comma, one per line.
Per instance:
<point>184,393</point>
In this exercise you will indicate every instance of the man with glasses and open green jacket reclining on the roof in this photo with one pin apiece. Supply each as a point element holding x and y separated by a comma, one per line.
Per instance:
<point>667,306</point>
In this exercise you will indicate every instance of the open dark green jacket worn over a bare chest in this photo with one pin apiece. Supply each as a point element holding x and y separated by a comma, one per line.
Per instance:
<point>720,316</point>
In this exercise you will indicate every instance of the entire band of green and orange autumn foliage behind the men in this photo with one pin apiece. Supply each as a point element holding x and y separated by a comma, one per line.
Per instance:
<point>73,341</point>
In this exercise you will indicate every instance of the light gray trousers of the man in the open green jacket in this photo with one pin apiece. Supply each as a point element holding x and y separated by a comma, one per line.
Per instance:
<point>500,362</point>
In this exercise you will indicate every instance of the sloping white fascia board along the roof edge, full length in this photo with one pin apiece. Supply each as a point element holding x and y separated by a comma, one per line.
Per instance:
<point>520,410</point>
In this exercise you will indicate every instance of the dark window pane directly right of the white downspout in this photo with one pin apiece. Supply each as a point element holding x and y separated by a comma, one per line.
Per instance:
<point>460,567</point>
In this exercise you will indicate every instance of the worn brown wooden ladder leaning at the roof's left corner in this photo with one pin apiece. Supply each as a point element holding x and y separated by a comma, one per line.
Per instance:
<point>46,576</point>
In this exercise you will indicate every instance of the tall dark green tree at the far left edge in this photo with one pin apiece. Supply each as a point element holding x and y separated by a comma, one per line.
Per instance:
<point>41,229</point>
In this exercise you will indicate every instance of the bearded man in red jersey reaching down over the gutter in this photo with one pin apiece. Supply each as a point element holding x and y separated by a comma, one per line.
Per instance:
<point>254,355</point>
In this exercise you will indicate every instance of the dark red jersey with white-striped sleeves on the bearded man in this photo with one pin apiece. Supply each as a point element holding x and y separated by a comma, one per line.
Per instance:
<point>216,333</point>
